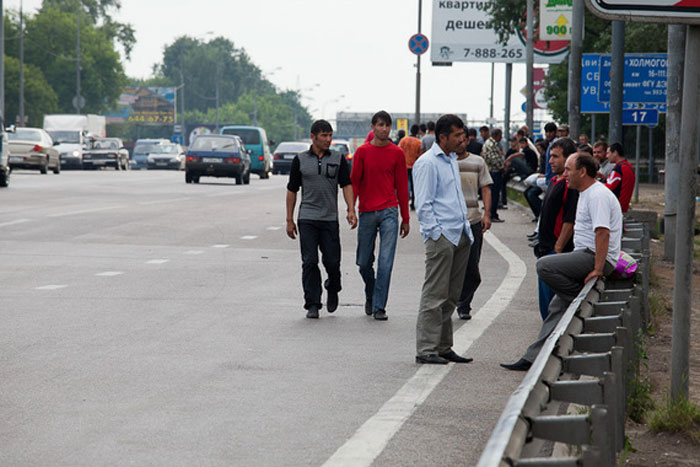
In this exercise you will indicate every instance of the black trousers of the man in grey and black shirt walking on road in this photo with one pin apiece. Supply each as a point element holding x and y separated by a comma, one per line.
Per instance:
<point>315,236</point>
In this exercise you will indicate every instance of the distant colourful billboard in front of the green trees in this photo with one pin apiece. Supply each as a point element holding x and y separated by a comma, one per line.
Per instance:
<point>145,105</point>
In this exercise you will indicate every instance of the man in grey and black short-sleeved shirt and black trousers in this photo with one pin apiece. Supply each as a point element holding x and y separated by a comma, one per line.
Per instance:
<point>318,172</point>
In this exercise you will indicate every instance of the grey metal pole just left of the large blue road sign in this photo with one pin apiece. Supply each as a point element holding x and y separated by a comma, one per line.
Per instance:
<point>576,51</point>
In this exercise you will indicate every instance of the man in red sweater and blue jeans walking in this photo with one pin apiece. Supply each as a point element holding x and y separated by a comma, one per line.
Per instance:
<point>380,181</point>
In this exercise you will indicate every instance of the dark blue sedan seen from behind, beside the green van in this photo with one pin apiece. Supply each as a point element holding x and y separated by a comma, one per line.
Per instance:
<point>217,156</point>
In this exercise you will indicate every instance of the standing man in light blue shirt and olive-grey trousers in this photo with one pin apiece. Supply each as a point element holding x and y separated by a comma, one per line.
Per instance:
<point>444,225</point>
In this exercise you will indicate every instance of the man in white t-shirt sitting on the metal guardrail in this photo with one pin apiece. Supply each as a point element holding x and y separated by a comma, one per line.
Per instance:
<point>597,238</point>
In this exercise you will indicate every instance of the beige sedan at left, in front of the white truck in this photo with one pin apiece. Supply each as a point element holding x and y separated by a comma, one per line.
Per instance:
<point>33,149</point>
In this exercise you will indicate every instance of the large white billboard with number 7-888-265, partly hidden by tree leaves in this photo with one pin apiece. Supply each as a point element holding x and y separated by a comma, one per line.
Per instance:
<point>462,32</point>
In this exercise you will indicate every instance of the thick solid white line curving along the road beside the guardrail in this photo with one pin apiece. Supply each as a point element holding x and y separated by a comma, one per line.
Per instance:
<point>373,436</point>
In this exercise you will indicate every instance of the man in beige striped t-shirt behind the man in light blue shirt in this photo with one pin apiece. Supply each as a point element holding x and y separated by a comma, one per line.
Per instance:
<point>475,177</point>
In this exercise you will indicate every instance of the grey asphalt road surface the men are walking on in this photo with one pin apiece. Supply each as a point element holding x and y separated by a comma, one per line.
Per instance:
<point>147,321</point>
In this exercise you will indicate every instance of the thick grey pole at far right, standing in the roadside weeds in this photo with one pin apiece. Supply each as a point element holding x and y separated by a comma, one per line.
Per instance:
<point>683,273</point>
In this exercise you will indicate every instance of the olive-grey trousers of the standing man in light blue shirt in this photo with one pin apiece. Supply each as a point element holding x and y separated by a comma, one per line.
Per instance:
<point>445,265</point>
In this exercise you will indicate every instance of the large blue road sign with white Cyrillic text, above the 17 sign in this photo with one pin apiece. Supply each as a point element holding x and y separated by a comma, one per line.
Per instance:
<point>644,81</point>
